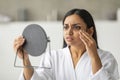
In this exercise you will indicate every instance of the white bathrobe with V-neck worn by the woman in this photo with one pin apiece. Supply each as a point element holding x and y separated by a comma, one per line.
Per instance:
<point>62,67</point>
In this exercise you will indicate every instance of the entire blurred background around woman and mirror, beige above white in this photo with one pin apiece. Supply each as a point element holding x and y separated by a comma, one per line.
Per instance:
<point>15,15</point>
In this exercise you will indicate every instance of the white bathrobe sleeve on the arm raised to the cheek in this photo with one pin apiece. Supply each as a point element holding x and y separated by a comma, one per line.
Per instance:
<point>109,71</point>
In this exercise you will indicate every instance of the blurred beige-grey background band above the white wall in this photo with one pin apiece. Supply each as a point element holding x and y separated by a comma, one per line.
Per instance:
<point>34,10</point>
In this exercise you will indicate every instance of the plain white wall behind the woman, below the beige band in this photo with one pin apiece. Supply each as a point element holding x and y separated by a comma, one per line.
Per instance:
<point>108,38</point>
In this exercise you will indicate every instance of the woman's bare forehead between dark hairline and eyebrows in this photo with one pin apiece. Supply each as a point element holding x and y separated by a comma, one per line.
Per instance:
<point>74,19</point>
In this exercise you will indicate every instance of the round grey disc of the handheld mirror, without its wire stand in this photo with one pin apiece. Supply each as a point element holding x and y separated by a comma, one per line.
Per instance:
<point>35,40</point>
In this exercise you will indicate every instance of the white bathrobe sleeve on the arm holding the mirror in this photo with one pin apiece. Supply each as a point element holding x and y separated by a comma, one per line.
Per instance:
<point>44,72</point>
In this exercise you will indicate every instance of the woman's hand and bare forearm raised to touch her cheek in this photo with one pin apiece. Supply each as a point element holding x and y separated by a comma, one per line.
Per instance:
<point>91,48</point>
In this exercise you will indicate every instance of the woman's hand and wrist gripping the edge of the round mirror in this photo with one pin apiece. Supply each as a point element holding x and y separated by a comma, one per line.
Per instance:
<point>18,42</point>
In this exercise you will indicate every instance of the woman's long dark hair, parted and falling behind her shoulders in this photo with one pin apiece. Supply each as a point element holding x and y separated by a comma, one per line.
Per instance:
<point>87,18</point>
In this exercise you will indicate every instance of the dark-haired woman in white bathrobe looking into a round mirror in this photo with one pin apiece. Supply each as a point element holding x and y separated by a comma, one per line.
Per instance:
<point>79,60</point>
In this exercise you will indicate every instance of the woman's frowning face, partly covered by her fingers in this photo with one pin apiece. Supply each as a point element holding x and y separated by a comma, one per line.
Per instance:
<point>72,25</point>
